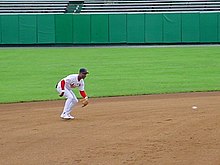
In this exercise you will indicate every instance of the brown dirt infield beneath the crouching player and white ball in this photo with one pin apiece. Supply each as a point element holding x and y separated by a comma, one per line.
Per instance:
<point>137,130</point>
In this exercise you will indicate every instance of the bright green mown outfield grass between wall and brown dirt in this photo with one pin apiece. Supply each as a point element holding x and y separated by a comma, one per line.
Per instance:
<point>30,74</point>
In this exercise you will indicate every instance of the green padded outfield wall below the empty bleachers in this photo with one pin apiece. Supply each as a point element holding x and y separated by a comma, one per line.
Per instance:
<point>110,28</point>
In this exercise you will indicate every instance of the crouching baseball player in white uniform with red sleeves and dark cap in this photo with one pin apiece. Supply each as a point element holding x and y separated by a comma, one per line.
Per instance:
<point>64,89</point>
